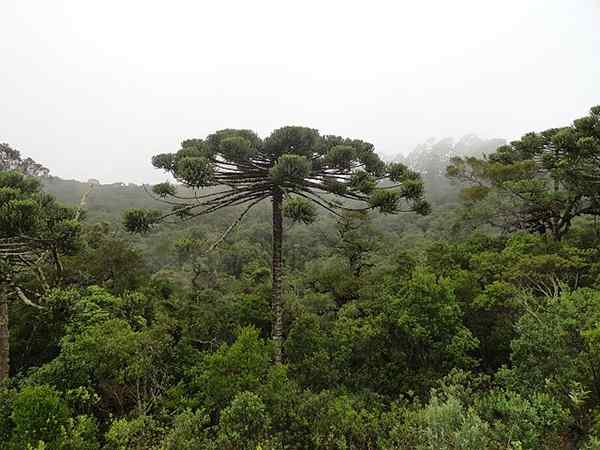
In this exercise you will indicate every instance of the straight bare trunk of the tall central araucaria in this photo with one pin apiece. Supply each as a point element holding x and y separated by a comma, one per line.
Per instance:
<point>276,306</point>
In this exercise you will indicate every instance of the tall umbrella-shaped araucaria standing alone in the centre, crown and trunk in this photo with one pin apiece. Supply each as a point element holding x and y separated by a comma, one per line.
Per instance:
<point>296,168</point>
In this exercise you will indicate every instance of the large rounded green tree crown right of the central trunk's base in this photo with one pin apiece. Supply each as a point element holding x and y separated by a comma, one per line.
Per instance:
<point>408,334</point>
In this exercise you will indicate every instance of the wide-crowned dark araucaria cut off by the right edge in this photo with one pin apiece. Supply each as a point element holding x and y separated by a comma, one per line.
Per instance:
<point>541,182</point>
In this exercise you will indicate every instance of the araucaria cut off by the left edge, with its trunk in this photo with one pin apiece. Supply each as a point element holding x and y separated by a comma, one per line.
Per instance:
<point>34,231</point>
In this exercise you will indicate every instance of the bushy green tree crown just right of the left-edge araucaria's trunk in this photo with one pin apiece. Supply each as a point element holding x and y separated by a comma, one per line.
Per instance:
<point>122,359</point>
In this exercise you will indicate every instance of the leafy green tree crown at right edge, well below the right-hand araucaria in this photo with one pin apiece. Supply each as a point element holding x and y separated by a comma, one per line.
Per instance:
<point>557,347</point>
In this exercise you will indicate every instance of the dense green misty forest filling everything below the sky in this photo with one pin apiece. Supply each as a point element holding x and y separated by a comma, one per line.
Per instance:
<point>297,292</point>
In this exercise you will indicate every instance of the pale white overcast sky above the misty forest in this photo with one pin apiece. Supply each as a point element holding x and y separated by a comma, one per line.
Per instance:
<point>95,88</point>
